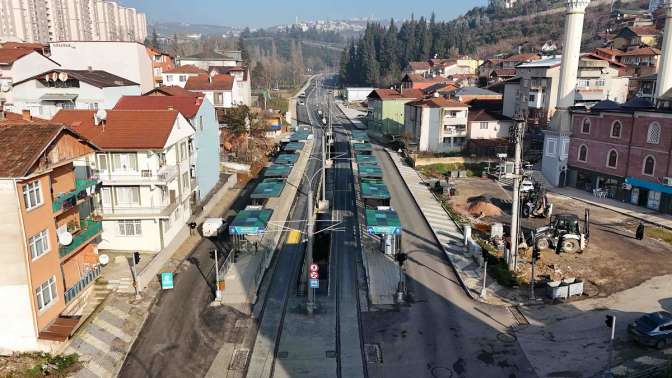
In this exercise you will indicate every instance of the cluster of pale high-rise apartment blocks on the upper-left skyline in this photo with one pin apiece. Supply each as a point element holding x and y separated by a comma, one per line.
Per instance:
<point>70,20</point>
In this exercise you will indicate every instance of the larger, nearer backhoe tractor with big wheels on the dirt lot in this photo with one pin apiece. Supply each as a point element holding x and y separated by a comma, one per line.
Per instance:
<point>564,233</point>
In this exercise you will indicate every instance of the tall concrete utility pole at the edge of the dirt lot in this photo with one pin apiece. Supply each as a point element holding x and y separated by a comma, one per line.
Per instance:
<point>518,131</point>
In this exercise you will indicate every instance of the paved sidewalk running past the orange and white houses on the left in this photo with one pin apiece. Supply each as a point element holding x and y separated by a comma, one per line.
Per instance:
<point>106,337</point>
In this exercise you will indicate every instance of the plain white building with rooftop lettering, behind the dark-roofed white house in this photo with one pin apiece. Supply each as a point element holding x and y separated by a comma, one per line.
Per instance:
<point>124,59</point>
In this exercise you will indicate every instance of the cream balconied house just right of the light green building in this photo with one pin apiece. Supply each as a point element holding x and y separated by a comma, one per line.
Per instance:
<point>436,125</point>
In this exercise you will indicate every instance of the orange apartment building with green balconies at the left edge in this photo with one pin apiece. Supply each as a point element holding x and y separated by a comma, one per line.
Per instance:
<point>49,232</point>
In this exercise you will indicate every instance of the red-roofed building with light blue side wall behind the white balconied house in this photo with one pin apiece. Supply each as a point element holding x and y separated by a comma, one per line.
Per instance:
<point>201,114</point>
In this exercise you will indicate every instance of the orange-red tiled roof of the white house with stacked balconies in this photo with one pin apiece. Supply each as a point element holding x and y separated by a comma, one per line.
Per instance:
<point>123,129</point>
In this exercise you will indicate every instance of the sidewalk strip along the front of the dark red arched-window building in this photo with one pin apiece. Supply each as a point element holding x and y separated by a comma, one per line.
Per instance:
<point>643,214</point>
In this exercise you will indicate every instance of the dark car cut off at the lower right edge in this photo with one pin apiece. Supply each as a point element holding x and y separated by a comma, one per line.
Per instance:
<point>653,329</point>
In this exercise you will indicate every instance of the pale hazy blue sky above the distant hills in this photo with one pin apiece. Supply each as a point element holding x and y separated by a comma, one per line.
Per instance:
<point>261,13</point>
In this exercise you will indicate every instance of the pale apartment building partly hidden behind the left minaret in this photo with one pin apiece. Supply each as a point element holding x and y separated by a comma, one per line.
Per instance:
<point>535,94</point>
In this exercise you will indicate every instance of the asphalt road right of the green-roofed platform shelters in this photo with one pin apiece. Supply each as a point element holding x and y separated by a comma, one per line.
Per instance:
<point>442,332</point>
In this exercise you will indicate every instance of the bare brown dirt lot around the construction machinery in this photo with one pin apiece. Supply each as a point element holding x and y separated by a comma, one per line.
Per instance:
<point>613,261</point>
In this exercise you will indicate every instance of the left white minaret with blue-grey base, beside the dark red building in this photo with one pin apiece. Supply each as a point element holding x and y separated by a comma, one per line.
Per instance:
<point>556,140</point>
